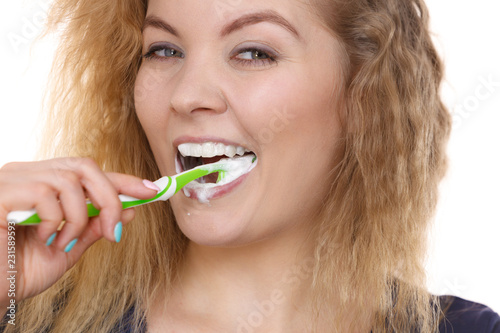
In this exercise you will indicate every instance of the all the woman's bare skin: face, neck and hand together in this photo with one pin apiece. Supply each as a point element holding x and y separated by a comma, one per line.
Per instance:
<point>248,247</point>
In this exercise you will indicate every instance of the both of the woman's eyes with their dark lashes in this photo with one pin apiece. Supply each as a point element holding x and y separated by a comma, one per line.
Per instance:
<point>270,58</point>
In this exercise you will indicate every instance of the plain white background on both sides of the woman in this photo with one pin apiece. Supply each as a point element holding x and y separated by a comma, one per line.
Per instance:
<point>465,241</point>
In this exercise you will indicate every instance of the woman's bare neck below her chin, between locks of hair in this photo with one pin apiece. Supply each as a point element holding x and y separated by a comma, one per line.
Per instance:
<point>264,284</point>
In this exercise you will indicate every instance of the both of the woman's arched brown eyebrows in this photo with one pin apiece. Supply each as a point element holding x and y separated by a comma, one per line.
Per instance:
<point>245,20</point>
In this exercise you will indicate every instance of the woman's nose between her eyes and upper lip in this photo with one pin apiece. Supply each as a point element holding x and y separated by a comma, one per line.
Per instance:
<point>197,89</point>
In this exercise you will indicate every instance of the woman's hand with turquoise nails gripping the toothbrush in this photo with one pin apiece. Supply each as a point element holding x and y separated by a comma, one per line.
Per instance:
<point>58,190</point>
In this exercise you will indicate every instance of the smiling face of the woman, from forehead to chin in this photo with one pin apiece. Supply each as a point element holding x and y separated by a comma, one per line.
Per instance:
<point>262,75</point>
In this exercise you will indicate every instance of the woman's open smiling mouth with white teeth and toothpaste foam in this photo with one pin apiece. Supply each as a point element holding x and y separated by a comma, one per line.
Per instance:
<point>191,155</point>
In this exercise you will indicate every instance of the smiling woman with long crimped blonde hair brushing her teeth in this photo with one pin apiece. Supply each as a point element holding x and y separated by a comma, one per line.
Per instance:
<point>338,100</point>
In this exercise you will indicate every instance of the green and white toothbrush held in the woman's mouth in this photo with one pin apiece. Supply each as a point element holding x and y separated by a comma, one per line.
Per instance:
<point>168,185</point>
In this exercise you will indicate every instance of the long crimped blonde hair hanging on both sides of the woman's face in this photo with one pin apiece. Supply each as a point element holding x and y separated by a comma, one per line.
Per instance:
<point>372,238</point>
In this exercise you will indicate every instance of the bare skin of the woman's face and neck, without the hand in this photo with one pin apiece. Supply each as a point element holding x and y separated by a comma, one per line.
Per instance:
<point>243,245</point>
